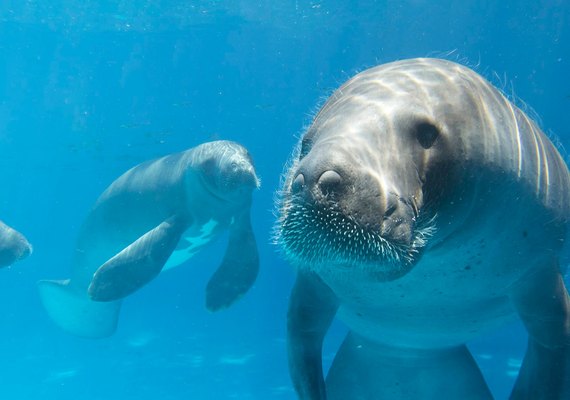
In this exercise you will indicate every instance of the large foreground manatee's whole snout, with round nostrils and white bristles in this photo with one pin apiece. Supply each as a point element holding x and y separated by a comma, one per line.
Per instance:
<point>342,213</point>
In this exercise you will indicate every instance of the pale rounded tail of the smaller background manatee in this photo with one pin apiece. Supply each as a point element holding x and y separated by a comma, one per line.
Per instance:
<point>75,313</point>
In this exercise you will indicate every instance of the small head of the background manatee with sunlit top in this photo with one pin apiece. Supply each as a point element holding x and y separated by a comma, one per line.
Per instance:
<point>226,170</point>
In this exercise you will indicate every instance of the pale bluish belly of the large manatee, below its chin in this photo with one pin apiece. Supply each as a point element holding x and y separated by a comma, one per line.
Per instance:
<point>451,296</point>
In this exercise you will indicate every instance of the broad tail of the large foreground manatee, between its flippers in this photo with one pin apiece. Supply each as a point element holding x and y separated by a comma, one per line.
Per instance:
<point>365,370</point>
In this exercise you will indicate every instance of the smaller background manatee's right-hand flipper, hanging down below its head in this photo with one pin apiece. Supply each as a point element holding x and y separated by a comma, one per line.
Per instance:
<point>239,268</point>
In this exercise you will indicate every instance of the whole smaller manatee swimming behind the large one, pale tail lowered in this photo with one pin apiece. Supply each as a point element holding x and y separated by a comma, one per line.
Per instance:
<point>156,216</point>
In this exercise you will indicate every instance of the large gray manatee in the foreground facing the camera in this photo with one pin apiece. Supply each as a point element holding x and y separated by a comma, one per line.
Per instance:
<point>423,209</point>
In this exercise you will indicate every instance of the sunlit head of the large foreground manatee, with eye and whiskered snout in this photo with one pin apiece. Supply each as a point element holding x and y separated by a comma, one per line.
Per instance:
<point>364,183</point>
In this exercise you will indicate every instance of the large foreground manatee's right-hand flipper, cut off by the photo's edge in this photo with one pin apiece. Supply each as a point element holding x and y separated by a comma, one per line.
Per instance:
<point>544,306</point>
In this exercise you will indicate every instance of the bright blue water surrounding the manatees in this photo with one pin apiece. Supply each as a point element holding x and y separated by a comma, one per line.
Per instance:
<point>91,88</point>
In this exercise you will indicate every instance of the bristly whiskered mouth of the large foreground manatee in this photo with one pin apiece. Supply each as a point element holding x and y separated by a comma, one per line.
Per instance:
<point>317,236</point>
